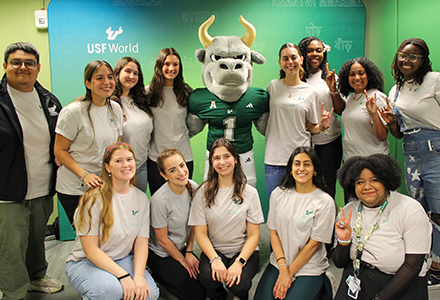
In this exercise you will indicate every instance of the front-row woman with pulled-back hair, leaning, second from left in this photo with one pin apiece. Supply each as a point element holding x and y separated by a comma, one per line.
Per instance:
<point>173,263</point>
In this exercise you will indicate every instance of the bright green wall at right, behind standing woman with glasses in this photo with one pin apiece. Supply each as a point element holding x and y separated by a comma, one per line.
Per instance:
<point>388,24</point>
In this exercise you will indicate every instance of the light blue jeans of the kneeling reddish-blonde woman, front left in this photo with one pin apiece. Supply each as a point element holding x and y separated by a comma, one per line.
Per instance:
<point>95,283</point>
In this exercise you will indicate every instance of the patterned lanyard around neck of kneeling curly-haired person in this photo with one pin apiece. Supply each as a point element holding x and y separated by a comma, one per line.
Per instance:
<point>358,230</point>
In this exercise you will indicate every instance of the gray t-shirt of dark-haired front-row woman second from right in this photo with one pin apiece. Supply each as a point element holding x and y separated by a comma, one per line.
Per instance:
<point>299,217</point>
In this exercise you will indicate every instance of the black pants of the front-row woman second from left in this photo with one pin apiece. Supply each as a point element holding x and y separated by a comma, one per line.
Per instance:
<point>174,277</point>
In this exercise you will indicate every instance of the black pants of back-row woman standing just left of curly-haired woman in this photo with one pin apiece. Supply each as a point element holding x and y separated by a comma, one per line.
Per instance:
<point>330,156</point>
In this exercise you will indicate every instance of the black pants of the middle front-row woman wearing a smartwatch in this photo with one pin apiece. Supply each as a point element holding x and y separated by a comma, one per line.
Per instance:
<point>215,290</point>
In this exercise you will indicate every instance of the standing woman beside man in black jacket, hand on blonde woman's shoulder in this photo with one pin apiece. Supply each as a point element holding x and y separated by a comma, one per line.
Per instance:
<point>84,129</point>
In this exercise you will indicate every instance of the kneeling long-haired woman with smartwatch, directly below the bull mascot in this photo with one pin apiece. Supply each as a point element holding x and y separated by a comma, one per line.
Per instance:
<point>226,214</point>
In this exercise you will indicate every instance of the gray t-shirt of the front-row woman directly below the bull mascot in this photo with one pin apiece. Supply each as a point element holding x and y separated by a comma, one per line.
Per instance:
<point>226,220</point>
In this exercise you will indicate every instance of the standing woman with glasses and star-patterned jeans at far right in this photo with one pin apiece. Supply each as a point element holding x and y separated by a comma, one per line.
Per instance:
<point>415,116</point>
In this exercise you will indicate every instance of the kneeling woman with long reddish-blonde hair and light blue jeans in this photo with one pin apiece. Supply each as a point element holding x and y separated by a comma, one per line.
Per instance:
<point>112,221</point>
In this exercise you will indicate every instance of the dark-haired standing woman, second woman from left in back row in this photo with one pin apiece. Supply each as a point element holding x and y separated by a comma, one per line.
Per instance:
<point>138,118</point>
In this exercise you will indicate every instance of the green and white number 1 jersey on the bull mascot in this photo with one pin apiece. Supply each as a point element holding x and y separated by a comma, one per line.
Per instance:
<point>231,120</point>
